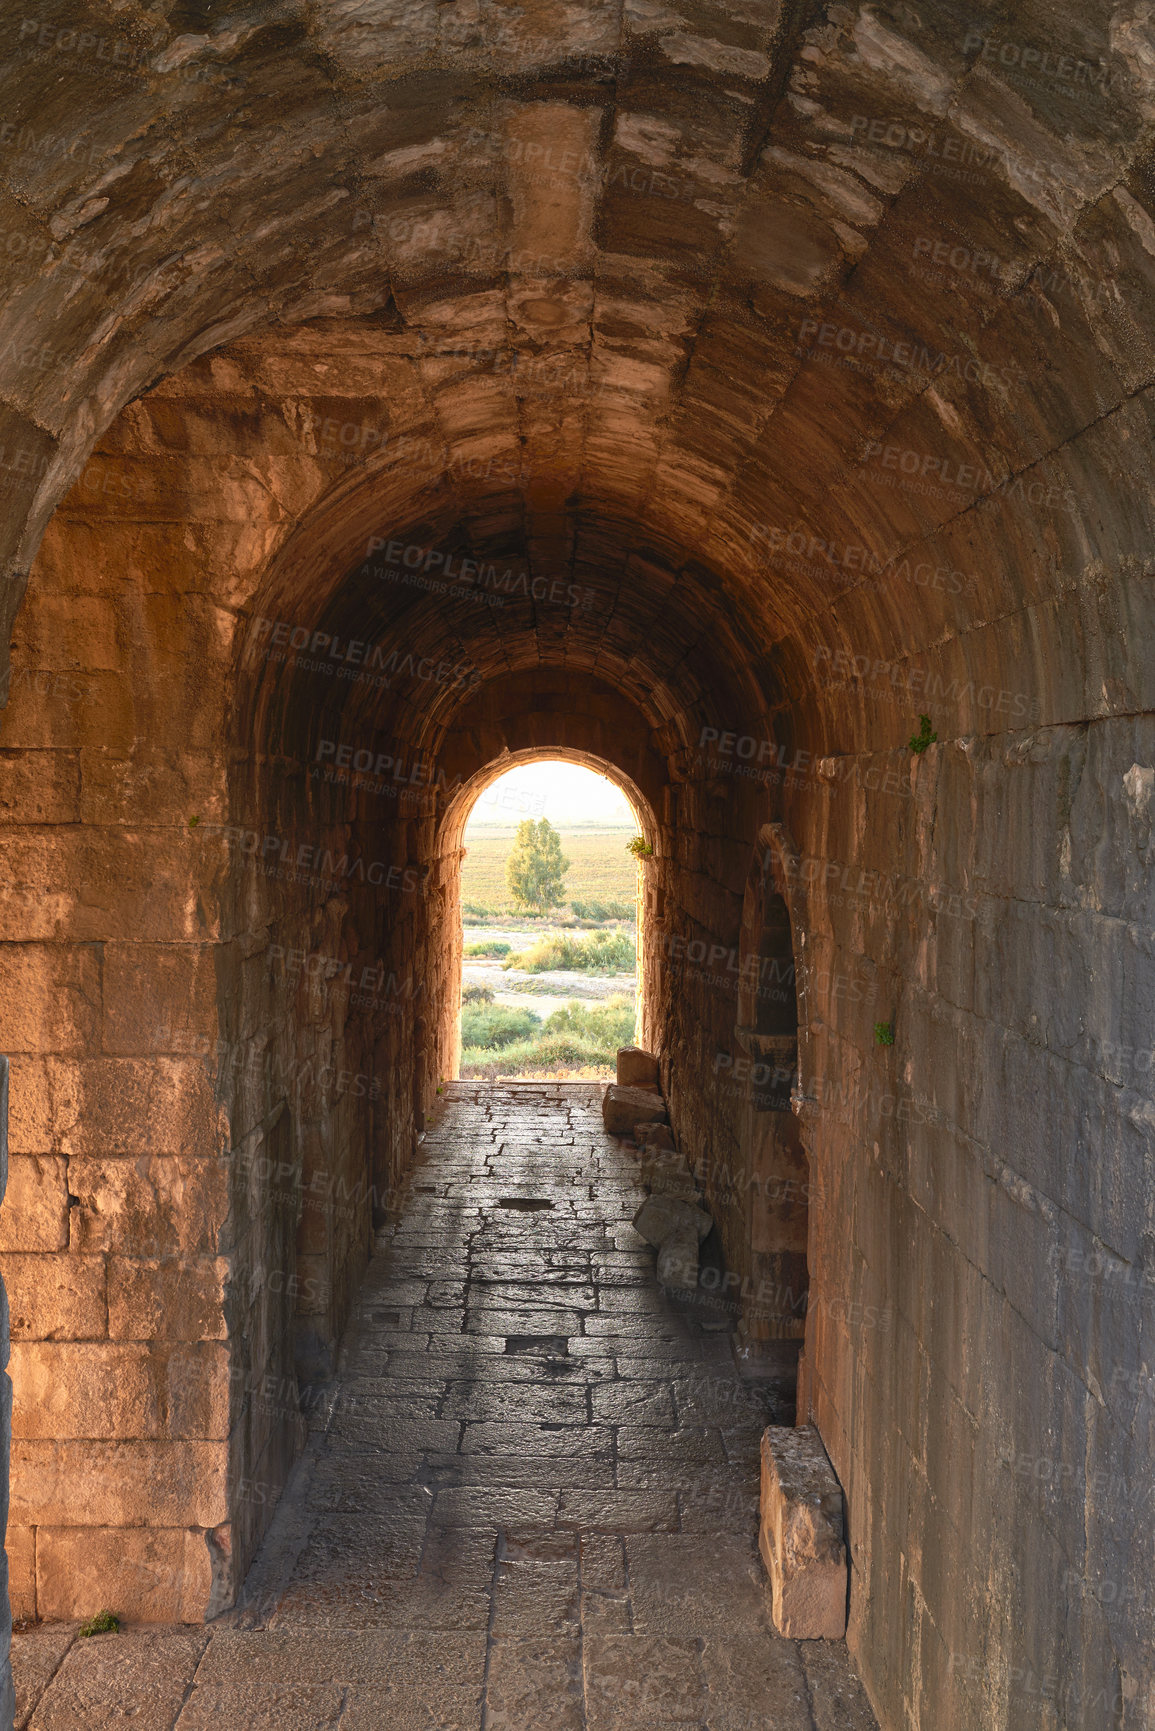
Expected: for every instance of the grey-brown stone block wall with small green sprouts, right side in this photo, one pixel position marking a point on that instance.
(979, 1327)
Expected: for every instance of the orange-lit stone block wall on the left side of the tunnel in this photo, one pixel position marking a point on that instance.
(212, 1064)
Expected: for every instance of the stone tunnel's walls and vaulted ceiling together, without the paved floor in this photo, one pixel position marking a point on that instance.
(752, 402)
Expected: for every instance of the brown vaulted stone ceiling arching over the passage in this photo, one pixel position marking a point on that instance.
(810, 312)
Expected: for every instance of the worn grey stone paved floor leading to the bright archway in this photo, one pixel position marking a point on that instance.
(529, 1500)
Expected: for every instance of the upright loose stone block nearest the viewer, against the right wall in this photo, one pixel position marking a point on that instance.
(801, 1536)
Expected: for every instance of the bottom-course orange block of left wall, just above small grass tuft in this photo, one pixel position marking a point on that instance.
(143, 1574)
